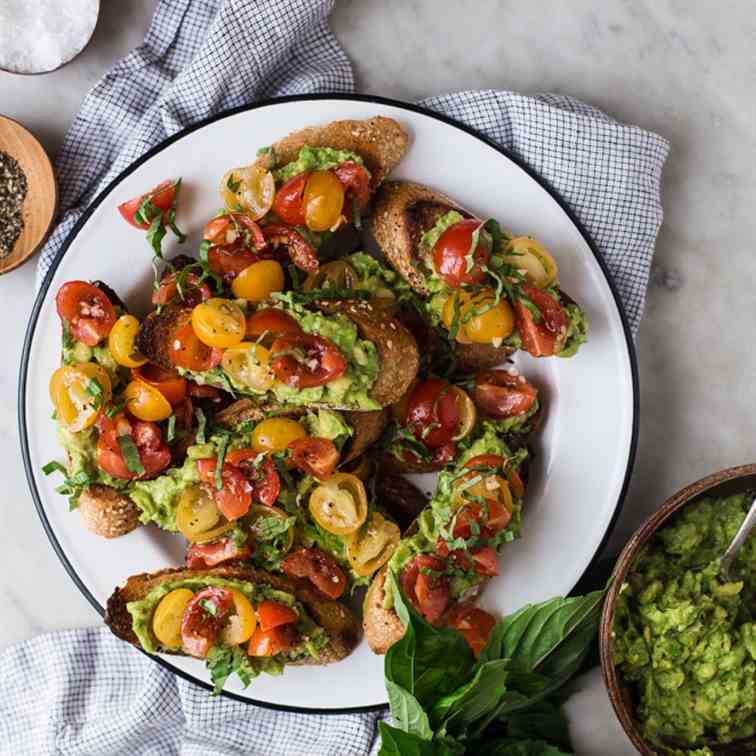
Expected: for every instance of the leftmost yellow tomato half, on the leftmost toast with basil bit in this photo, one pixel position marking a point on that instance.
(78, 393)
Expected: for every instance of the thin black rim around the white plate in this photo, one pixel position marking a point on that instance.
(201, 124)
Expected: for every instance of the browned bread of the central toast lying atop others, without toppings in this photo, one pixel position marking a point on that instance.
(398, 355)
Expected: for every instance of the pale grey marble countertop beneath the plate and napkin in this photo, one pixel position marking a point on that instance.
(688, 74)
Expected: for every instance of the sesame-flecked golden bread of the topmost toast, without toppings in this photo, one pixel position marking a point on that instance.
(381, 142)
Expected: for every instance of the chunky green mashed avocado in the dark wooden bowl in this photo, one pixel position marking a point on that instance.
(685, 638)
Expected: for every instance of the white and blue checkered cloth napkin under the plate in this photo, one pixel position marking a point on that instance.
(84, 692)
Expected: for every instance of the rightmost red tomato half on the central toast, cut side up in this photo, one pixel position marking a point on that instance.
(321, 361)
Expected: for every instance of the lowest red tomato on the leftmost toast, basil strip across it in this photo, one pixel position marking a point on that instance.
(154, 455)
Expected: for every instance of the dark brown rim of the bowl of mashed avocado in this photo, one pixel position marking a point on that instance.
(625, 560)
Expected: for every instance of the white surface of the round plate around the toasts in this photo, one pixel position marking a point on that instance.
(585, 448)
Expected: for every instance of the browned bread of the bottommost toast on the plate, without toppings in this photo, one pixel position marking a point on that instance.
(335, 619)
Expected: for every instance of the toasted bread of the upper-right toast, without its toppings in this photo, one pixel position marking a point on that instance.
(403, 212)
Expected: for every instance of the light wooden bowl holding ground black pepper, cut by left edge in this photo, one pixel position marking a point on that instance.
(42, 191)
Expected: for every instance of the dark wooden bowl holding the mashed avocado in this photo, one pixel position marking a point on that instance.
(725, 483)
